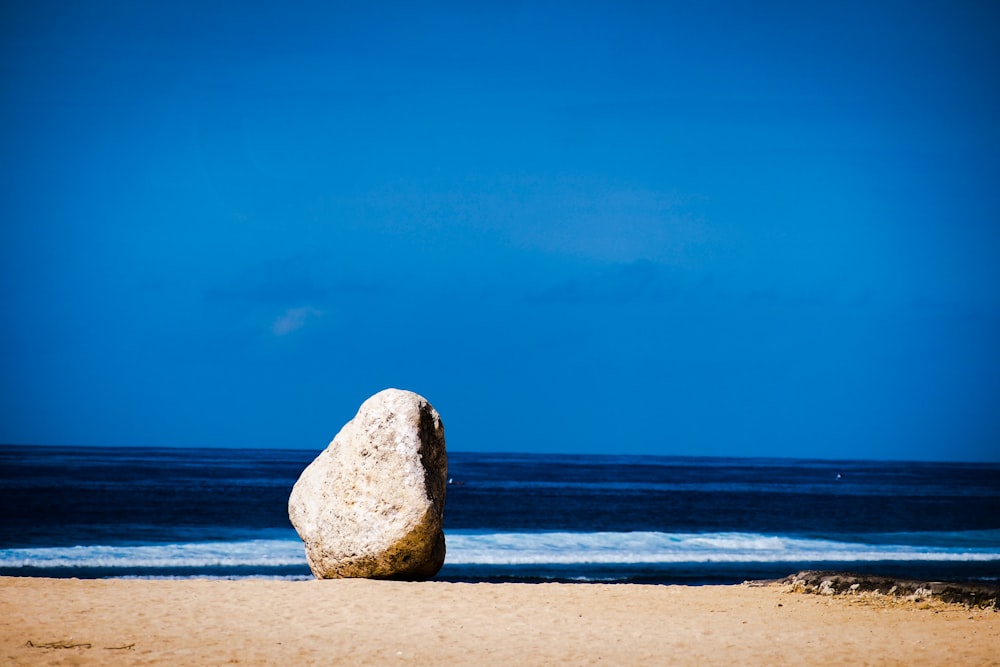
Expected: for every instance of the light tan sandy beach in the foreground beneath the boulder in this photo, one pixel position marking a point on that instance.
(357, 622)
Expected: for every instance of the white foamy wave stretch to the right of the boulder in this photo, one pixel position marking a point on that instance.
(651, 547)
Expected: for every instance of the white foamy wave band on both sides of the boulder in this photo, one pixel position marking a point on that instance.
(543, 548)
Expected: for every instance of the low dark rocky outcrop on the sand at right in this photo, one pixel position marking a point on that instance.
(979, 595)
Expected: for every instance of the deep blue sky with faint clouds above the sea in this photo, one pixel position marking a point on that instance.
(751, 229)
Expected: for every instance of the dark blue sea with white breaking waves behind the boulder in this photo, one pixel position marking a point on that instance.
(103, 512)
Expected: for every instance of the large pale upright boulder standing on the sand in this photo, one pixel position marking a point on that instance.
(372, 503)
